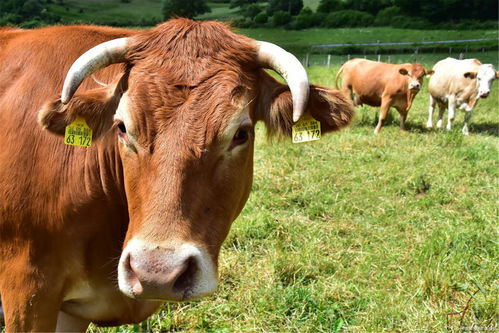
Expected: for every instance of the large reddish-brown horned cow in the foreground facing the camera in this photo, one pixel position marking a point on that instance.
(104, 234)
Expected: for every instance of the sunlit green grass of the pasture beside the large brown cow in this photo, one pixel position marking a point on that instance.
(359, 232)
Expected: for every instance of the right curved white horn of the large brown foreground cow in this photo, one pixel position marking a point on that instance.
(274, 57)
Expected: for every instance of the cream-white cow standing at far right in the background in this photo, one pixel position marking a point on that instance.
(458, 83)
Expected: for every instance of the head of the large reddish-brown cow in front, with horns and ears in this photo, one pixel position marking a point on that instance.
(183, 114)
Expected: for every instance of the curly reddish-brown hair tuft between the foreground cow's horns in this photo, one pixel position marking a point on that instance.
(190, 44)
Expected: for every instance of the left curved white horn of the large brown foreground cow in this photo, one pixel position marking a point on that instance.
(98, 57)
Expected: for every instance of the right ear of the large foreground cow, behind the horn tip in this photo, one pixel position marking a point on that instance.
(275, 107)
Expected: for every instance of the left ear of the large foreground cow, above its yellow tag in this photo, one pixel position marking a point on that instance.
(96, 106)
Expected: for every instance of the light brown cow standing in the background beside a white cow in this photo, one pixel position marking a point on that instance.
(381, 84)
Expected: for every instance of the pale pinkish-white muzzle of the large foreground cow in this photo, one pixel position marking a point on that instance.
(173, 272)
